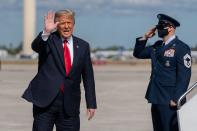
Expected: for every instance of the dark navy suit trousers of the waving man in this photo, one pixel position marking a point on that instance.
(45, 118)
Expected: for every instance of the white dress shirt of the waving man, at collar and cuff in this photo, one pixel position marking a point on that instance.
(45, 37)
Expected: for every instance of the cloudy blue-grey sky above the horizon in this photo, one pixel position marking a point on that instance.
(104, 22)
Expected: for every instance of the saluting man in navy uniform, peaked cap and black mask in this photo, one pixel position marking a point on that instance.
(171, 71)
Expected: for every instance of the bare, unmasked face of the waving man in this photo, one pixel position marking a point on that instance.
(65, 26)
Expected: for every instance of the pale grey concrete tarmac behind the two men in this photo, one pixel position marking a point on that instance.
(120, 91)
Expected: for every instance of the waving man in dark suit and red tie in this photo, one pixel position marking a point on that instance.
(63, 61)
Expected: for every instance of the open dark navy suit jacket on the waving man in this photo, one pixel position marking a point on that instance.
(51, 74)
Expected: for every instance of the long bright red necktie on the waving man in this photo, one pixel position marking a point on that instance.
(67, 58)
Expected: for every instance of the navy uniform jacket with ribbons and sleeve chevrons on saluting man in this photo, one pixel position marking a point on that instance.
(171, 69)
